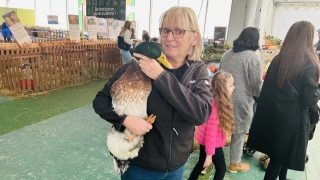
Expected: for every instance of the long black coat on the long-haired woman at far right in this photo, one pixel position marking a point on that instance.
(281, 124)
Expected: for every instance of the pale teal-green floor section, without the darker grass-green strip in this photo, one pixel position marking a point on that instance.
(73, 146)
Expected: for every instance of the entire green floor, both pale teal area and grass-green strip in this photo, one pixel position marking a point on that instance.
(58, 136)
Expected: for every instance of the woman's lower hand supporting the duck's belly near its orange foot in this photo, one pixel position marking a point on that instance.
(136, 125)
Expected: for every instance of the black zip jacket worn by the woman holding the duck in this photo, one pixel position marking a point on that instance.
(179, 106)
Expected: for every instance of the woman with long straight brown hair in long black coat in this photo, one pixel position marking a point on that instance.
(280, 127)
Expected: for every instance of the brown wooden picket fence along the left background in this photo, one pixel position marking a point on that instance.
(52, 65)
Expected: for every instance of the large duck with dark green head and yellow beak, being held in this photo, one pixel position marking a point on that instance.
(129, 97)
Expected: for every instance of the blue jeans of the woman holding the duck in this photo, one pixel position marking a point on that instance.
(137, 173)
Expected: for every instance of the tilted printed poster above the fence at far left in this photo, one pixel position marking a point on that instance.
(19, 32)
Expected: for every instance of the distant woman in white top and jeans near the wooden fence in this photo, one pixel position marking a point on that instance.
(126, 33)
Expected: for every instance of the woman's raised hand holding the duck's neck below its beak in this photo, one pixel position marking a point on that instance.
(149, 66)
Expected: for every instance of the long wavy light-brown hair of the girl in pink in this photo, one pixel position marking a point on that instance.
(223, 101)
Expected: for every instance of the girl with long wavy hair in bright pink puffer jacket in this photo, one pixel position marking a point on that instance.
(212, 134)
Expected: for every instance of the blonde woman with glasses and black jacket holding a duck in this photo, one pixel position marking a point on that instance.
(180, 98)
